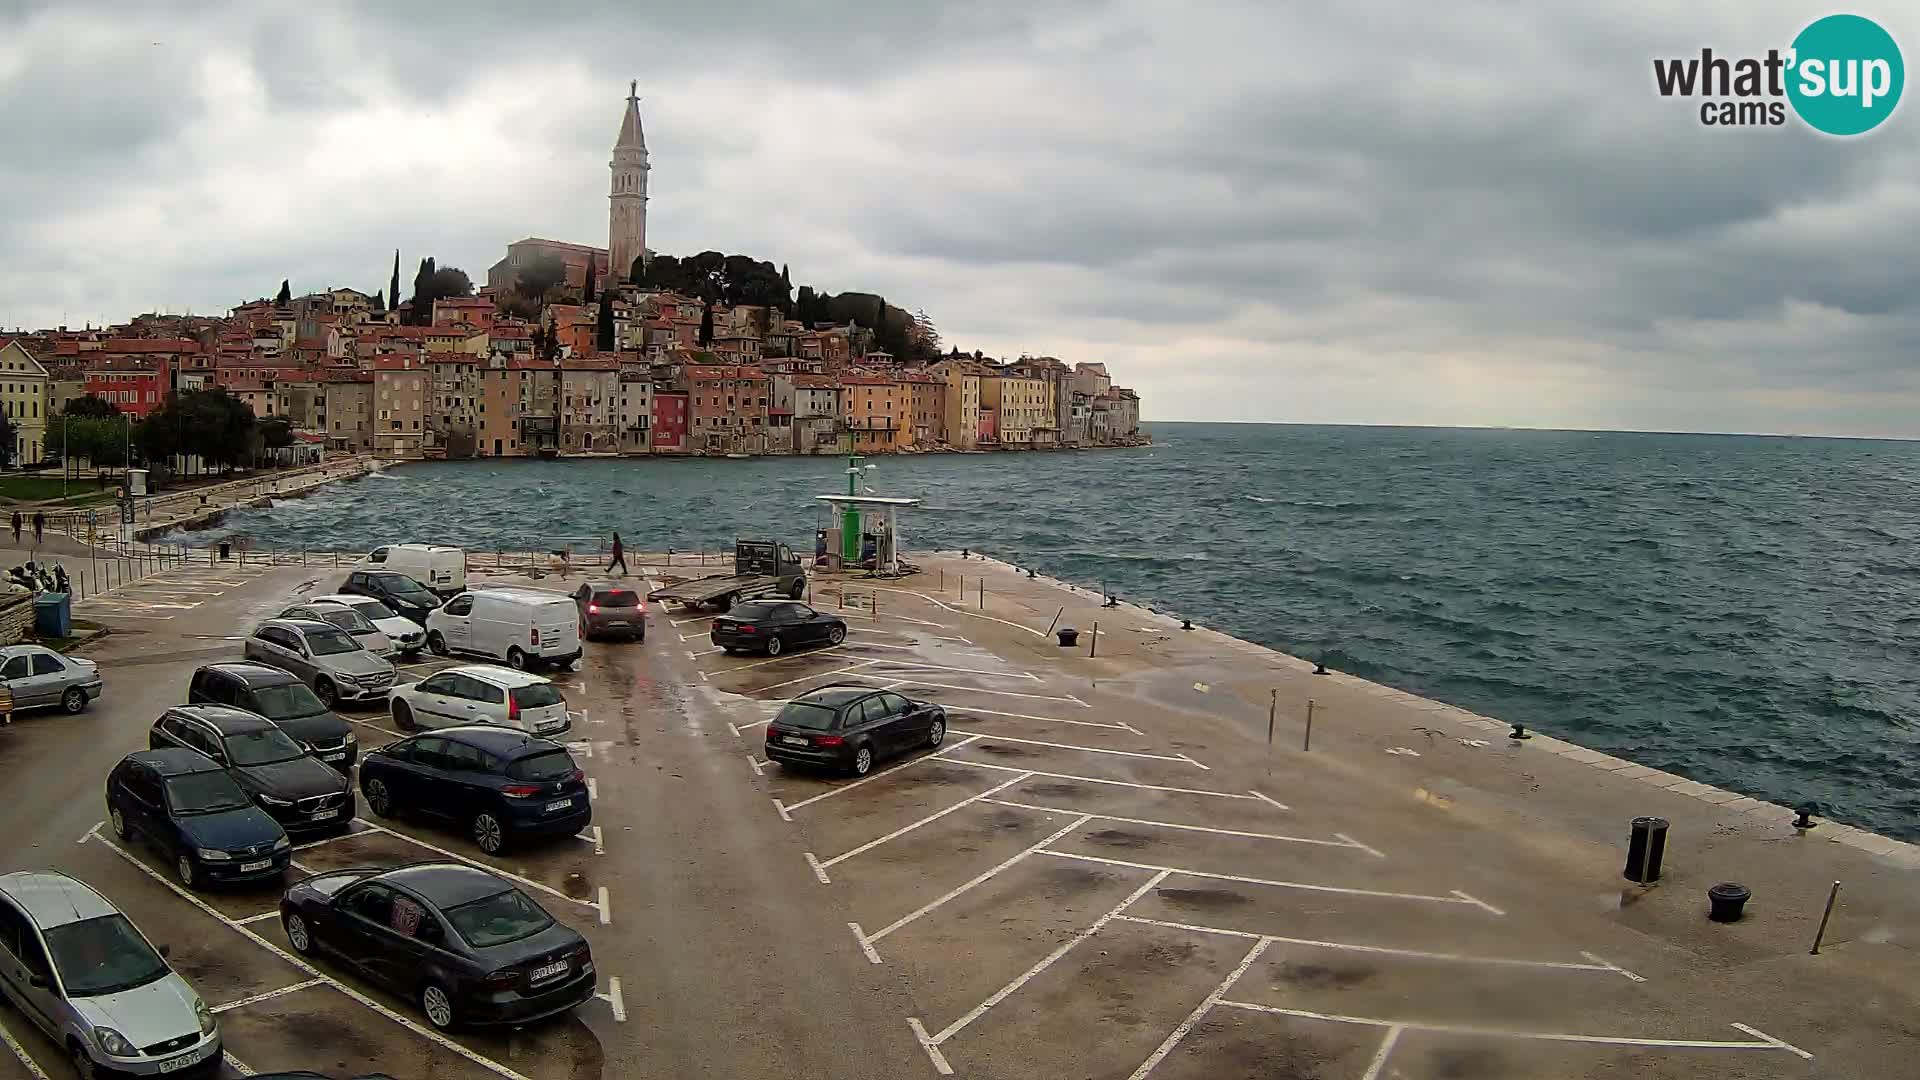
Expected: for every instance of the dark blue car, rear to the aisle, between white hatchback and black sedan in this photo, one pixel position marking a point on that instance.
(496, 783)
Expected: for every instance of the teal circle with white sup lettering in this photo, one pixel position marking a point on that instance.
(1848, 76)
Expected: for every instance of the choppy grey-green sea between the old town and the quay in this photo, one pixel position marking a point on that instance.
(1739, 610)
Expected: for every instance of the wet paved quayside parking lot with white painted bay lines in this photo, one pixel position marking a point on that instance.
(1103, 870)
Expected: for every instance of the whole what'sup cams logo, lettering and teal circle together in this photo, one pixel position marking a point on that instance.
(1842, 76)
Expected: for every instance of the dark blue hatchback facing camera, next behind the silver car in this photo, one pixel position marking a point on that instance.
(195, 814)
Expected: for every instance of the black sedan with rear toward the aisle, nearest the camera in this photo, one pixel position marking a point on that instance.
(462, 943)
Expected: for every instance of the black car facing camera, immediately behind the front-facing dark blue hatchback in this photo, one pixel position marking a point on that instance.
(291, 785)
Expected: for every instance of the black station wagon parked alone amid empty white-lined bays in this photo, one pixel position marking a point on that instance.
(852, 727)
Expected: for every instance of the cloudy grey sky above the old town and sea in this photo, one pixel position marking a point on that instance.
(1362, 212)
